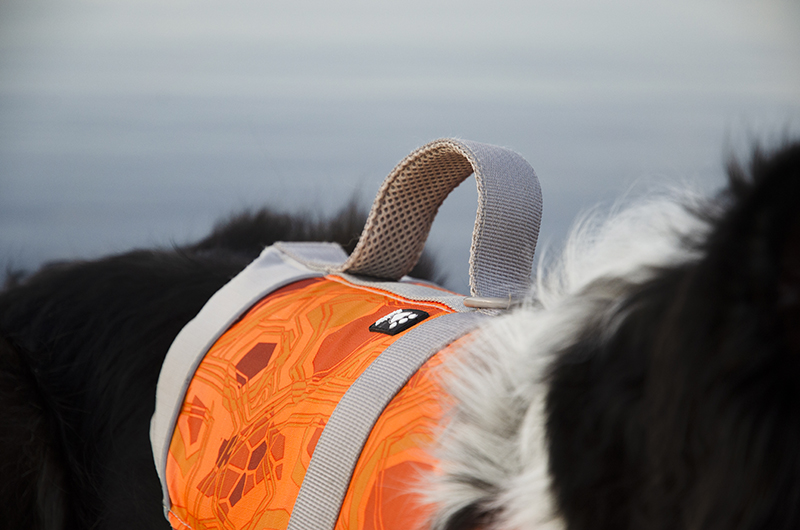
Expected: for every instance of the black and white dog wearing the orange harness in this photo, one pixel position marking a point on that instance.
(651, 381)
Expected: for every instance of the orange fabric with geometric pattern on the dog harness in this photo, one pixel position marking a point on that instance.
(259, 400)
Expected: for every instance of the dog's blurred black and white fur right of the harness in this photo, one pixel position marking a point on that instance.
(654, 380)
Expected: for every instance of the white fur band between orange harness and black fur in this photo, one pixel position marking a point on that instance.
(495, 434)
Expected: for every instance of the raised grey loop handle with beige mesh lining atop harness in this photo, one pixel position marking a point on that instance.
(506, 225)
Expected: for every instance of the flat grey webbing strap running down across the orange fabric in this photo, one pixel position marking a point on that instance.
(339, 447)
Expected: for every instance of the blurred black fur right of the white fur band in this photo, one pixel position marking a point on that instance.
(688, 415)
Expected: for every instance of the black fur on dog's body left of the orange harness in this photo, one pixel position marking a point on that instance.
(83, 345)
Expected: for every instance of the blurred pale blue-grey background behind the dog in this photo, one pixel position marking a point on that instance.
(130, 123)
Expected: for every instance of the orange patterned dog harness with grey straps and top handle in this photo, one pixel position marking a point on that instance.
(306, 392)
